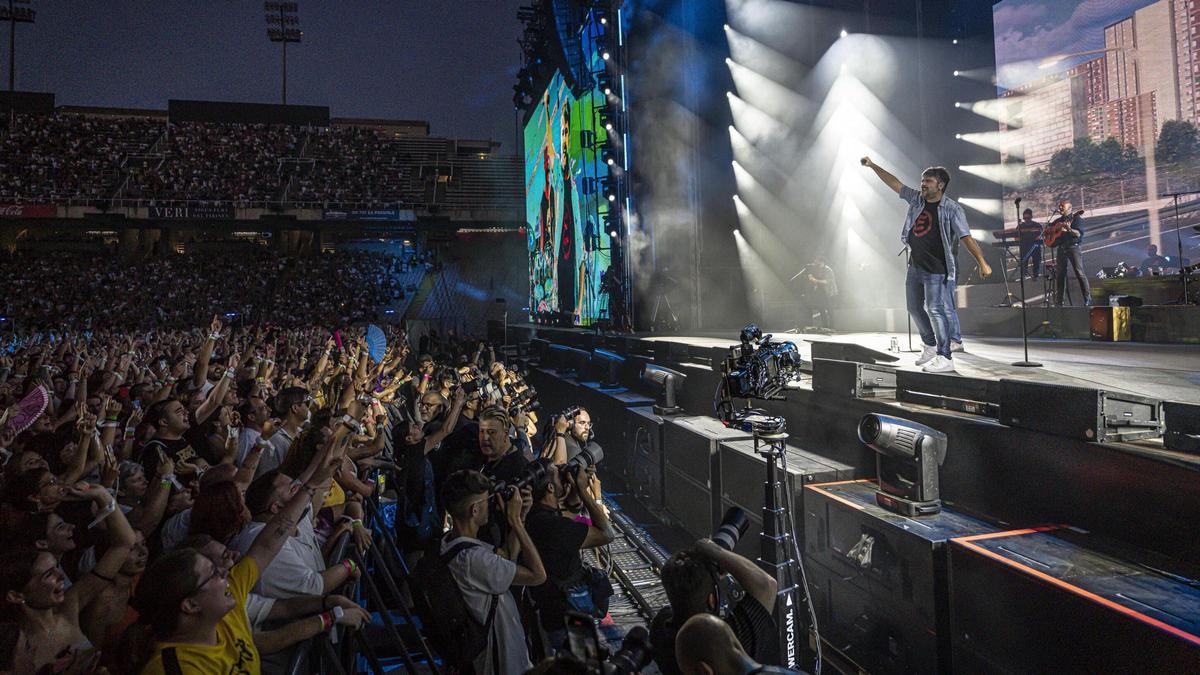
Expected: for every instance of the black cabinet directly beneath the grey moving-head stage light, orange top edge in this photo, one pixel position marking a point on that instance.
(890, 595)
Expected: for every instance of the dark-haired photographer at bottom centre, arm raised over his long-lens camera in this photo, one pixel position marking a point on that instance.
(691, 581)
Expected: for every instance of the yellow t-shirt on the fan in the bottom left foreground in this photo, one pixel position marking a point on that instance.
(235, 653)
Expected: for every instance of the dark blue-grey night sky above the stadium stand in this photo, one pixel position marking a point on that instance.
(447, 62)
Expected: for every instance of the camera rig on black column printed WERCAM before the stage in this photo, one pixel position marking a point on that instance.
(760, 369)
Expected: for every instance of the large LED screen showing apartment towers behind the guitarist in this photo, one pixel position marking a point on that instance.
(1099, 104)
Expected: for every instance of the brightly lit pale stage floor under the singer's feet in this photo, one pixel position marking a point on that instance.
(1162, 372)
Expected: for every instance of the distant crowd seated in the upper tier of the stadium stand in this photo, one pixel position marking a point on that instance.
(149, 160)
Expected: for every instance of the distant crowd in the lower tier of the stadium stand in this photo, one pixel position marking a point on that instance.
(89, 292)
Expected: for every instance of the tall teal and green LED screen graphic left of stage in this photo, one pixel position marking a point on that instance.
(566, 207)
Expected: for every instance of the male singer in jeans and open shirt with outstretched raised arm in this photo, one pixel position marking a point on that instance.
(933, 229)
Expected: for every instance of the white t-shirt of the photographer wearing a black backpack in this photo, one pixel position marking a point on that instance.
(481, 575)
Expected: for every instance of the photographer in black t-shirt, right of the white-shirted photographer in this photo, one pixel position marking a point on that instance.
(559, 537)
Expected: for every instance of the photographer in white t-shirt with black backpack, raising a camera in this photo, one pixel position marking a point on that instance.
(484, 577)
